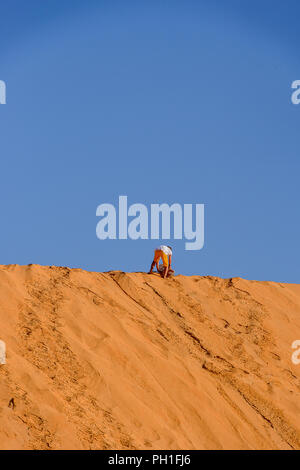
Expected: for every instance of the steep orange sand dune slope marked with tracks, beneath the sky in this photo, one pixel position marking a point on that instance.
(124, 361)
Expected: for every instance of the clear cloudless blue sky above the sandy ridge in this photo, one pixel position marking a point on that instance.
(163, 101)
